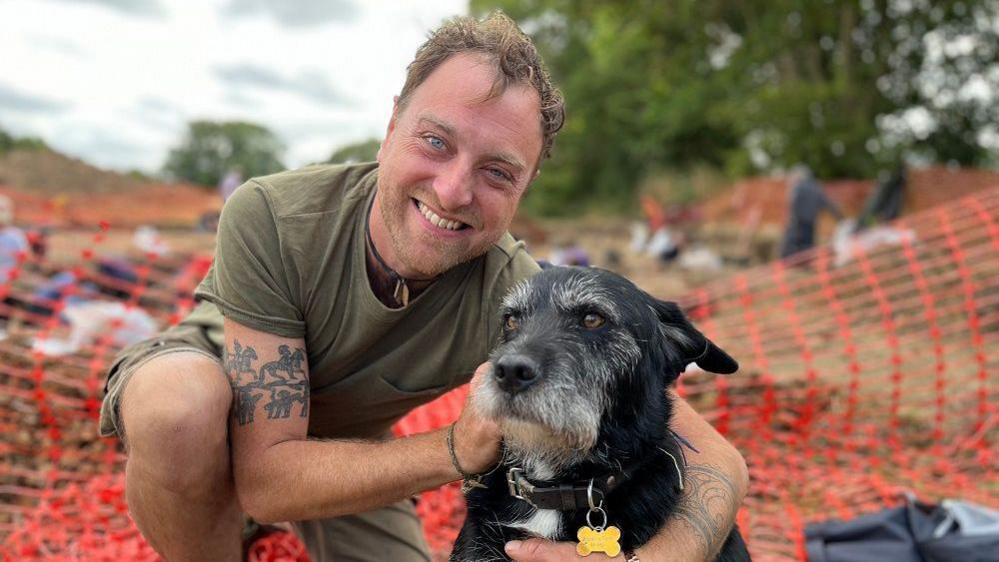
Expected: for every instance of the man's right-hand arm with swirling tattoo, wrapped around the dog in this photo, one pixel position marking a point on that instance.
(716, 483)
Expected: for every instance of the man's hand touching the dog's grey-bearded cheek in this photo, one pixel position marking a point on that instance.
(476, 438)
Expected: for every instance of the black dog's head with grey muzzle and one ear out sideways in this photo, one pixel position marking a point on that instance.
(585, 354)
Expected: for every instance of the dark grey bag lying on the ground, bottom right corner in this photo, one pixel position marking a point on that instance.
(954, 531)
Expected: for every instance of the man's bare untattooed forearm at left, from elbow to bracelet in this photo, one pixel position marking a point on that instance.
(296, 480)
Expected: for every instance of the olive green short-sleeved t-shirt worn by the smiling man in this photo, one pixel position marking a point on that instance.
(290, 261)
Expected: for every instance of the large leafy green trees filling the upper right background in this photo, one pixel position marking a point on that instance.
(755, 85)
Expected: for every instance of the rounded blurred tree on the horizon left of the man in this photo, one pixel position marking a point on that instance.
(210, 149)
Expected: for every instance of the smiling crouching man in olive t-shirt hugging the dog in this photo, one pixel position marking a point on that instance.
(340, 298)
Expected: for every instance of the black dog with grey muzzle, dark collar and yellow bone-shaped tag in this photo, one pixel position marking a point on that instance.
(578, 387)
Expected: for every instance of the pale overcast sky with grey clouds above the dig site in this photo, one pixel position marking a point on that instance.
(116, 81)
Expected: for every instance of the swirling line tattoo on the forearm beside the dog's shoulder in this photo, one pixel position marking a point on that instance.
(707, 506)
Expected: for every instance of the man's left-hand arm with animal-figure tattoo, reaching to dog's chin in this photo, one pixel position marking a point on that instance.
(280, 475)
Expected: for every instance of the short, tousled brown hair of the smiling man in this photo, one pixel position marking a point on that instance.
(497, 37)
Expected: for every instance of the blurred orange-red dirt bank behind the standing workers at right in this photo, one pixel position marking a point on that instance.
(926, 188)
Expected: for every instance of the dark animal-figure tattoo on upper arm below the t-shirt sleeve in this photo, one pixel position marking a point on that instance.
(282, 381)
